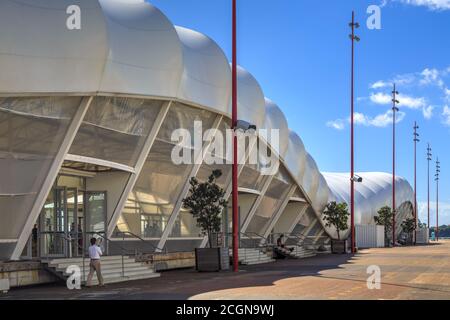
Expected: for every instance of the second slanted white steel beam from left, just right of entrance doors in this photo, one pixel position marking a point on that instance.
(148, 144)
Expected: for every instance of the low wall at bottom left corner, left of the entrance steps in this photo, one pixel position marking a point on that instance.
(25, 273)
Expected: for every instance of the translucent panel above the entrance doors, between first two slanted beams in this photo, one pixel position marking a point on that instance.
(115, 129)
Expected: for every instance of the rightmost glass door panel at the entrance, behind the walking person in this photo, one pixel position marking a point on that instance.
(95, 218)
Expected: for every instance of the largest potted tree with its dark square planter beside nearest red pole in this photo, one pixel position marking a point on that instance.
(206, 202)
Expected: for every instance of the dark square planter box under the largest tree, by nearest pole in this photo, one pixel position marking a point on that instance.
(212, 259)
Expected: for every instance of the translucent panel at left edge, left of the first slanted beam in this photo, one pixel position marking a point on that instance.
(31, 132)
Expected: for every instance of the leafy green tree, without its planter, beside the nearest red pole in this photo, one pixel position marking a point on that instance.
(206, 202)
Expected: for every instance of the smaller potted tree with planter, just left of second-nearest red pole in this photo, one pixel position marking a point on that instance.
(336, 215)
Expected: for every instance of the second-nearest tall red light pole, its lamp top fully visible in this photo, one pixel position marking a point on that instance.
(353, 38)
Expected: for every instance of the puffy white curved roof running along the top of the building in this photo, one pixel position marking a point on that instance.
(132, 48)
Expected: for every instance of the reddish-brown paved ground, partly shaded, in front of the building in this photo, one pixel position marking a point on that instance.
(421, 272)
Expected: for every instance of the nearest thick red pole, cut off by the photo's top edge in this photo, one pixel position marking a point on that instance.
(234, 119)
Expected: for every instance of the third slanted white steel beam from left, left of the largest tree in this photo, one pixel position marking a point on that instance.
(196, 167)
